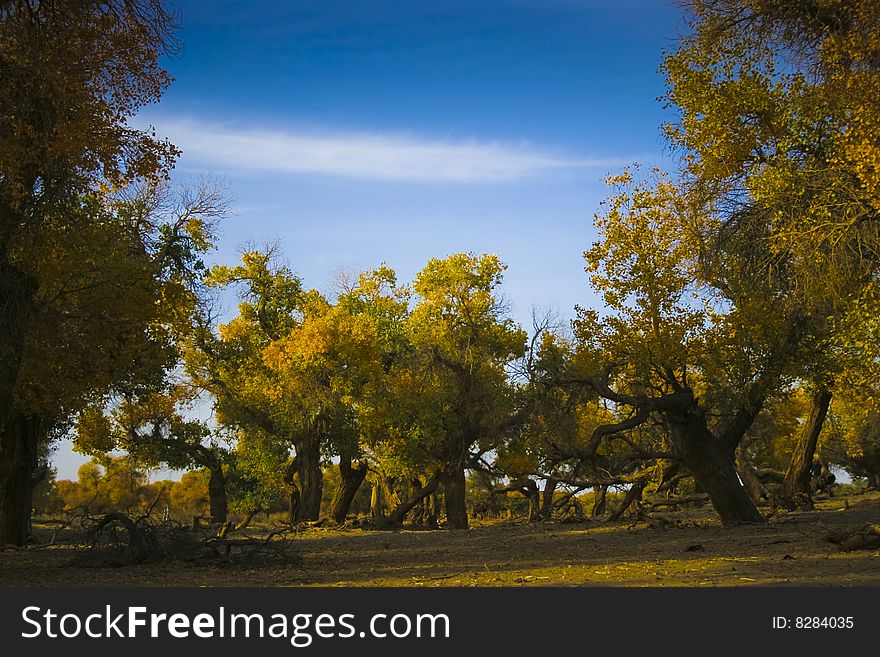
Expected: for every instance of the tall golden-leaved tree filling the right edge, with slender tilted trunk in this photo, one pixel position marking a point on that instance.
(778, 115)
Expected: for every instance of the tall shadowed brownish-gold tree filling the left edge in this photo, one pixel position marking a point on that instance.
(77, 271)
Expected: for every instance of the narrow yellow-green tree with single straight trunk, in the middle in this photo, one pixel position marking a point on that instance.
(460, 400)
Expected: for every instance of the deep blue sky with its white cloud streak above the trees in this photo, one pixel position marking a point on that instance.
(361, 132)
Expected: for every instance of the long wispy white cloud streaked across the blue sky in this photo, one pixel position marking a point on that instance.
(363, 155)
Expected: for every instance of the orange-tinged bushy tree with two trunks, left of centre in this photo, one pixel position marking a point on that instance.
(305, 373)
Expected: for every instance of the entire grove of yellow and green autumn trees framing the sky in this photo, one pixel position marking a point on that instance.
(735, 354)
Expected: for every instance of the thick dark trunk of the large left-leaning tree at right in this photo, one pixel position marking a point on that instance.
(712, 465)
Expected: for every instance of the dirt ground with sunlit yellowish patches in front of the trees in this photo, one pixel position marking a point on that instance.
(672, 549)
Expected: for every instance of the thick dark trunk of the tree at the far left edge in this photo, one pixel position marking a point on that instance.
(19, 439)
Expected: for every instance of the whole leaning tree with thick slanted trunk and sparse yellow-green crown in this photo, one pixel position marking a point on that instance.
(694, 349)
